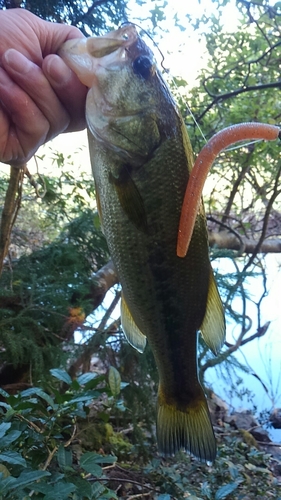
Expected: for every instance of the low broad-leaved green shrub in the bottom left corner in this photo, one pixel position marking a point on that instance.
(37, 433)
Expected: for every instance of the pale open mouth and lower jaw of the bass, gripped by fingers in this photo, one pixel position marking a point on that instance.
(85, 55)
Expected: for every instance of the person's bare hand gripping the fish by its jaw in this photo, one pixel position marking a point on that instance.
(40, 97)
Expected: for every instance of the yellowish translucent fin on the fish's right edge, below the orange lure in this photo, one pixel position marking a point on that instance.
(213, 326)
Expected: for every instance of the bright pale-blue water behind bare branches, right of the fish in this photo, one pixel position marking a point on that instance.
(262, 356)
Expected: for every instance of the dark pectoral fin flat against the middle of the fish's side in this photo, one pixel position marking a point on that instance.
(130, 198)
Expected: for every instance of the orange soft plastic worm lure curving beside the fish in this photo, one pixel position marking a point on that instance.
(219, 142)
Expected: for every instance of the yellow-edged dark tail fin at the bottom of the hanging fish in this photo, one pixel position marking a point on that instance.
(189, 429)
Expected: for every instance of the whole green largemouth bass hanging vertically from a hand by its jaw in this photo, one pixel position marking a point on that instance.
(142, 159)
